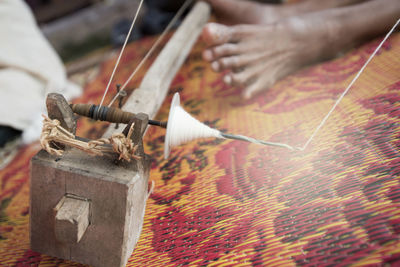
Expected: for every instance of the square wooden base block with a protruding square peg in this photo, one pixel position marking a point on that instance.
(87, 209)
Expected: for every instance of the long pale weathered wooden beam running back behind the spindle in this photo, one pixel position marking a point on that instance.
(155, 84)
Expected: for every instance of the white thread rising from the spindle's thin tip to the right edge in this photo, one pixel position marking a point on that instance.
(347, 89)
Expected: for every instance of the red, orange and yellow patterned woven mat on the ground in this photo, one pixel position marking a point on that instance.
(229, 203)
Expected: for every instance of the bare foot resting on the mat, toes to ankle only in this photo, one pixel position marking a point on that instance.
(259, 55)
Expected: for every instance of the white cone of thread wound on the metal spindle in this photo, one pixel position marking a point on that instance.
(182, 127)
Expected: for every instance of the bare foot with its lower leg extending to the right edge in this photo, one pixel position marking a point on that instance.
(256, 56)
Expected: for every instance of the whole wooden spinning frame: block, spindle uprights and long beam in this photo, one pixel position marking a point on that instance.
(91, 209)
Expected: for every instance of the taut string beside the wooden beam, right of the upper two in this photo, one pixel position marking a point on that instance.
(151, 50)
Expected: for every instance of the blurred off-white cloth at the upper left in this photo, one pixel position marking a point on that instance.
(29, 69)
